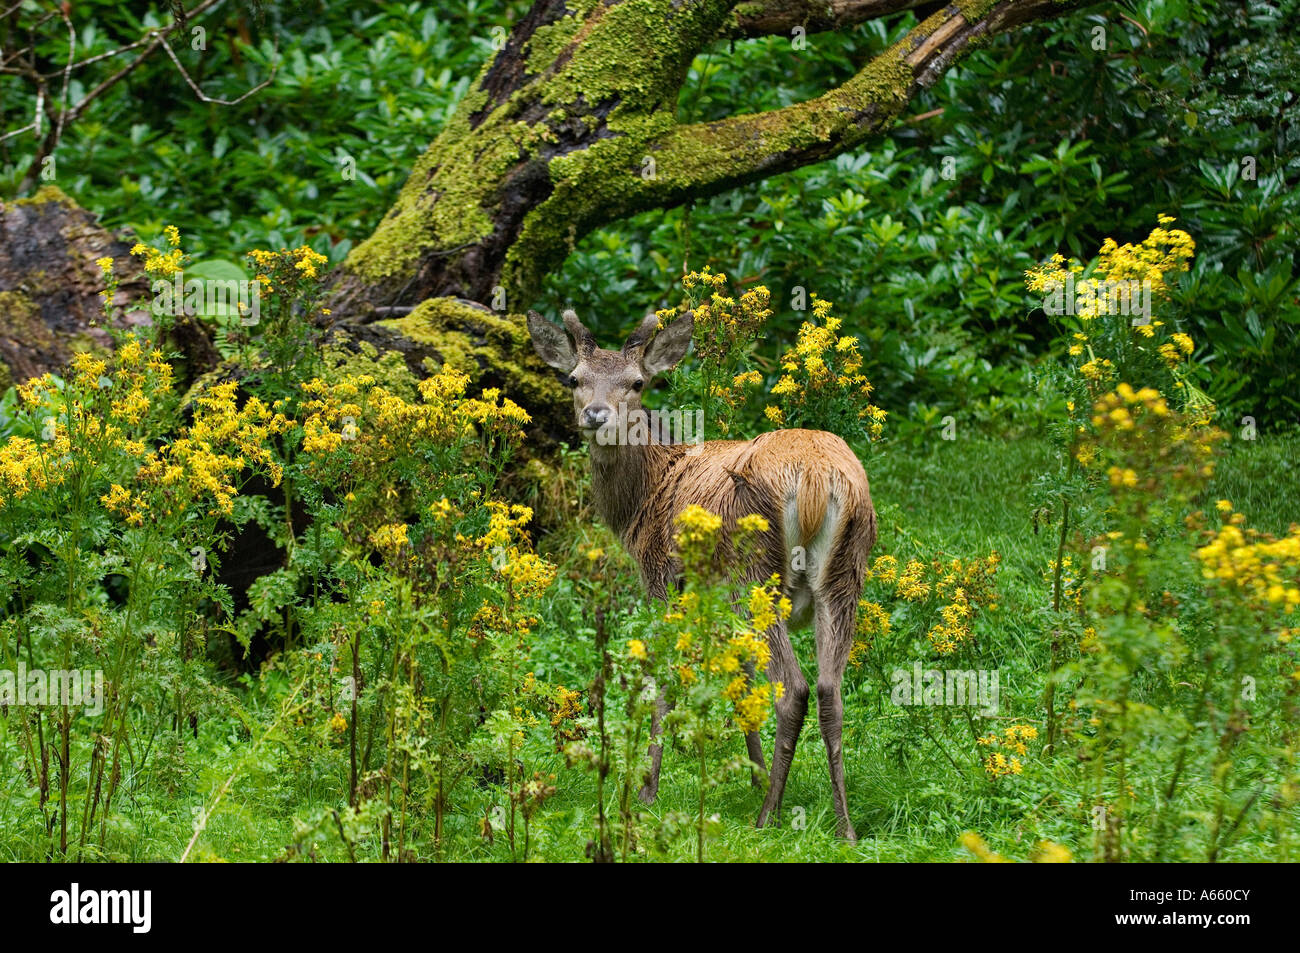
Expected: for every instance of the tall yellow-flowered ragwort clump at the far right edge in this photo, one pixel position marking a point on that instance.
(1171, 636)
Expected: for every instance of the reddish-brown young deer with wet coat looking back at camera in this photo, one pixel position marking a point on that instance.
(808, 484)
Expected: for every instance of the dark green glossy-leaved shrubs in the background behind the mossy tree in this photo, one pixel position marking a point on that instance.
(1038, 144)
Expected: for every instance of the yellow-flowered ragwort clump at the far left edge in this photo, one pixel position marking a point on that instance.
(110, 530)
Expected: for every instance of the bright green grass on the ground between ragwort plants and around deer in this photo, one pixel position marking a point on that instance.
(912, 796)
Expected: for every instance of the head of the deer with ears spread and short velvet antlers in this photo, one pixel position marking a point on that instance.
(606, 382)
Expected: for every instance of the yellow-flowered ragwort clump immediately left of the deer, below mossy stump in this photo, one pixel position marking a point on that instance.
(448, 581)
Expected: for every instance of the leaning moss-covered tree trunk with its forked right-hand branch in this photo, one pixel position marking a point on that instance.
(574, 127)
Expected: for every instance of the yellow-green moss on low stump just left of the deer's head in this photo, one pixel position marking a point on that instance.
(482, 344)
